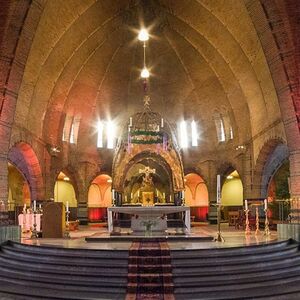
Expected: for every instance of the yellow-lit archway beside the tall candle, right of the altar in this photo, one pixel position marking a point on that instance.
(231, 194)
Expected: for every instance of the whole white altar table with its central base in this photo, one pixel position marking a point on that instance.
(154, 214)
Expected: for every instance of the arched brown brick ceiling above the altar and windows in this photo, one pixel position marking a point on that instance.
(204, 55)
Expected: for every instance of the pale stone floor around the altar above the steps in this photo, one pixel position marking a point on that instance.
(232, 236)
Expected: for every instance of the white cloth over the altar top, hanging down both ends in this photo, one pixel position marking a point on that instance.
(150, 212)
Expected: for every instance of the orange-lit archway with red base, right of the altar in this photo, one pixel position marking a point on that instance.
(196, 196)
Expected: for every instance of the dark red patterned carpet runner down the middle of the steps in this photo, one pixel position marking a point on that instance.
(150, 271)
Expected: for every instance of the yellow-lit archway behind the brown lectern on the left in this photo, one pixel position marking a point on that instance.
(64, 192)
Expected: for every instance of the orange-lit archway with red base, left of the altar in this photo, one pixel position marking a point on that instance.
(99, 198)
